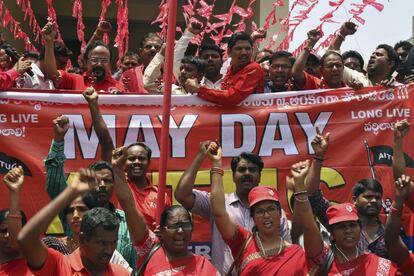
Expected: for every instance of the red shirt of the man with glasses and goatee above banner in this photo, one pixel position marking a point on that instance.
(71, 81)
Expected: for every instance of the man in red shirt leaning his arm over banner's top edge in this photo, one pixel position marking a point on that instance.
(243, 78)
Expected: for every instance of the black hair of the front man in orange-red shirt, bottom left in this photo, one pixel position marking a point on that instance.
(98, 217)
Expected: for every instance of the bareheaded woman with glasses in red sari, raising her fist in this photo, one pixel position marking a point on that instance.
(171, 257)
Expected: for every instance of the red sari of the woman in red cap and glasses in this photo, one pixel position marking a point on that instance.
(291, 261)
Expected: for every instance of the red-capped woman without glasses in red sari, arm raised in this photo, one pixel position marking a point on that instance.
(345, 231)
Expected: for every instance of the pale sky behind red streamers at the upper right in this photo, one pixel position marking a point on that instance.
(393, 24)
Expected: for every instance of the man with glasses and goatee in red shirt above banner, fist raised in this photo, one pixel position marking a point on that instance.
(97, 58)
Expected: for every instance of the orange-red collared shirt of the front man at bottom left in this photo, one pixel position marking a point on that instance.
(59, 264)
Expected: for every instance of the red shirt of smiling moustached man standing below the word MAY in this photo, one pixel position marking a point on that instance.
(146, 202)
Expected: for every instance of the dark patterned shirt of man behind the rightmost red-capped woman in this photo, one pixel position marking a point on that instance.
(377, 244)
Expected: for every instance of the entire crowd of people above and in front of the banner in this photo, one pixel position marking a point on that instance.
(108, 210)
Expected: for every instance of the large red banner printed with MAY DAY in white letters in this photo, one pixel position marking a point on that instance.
(279, 127)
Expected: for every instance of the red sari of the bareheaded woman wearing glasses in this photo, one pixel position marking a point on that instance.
(160, 265)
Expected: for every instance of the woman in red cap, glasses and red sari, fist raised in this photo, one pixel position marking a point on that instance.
(265, 252)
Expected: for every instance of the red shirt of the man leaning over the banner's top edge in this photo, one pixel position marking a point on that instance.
(236, 86)
